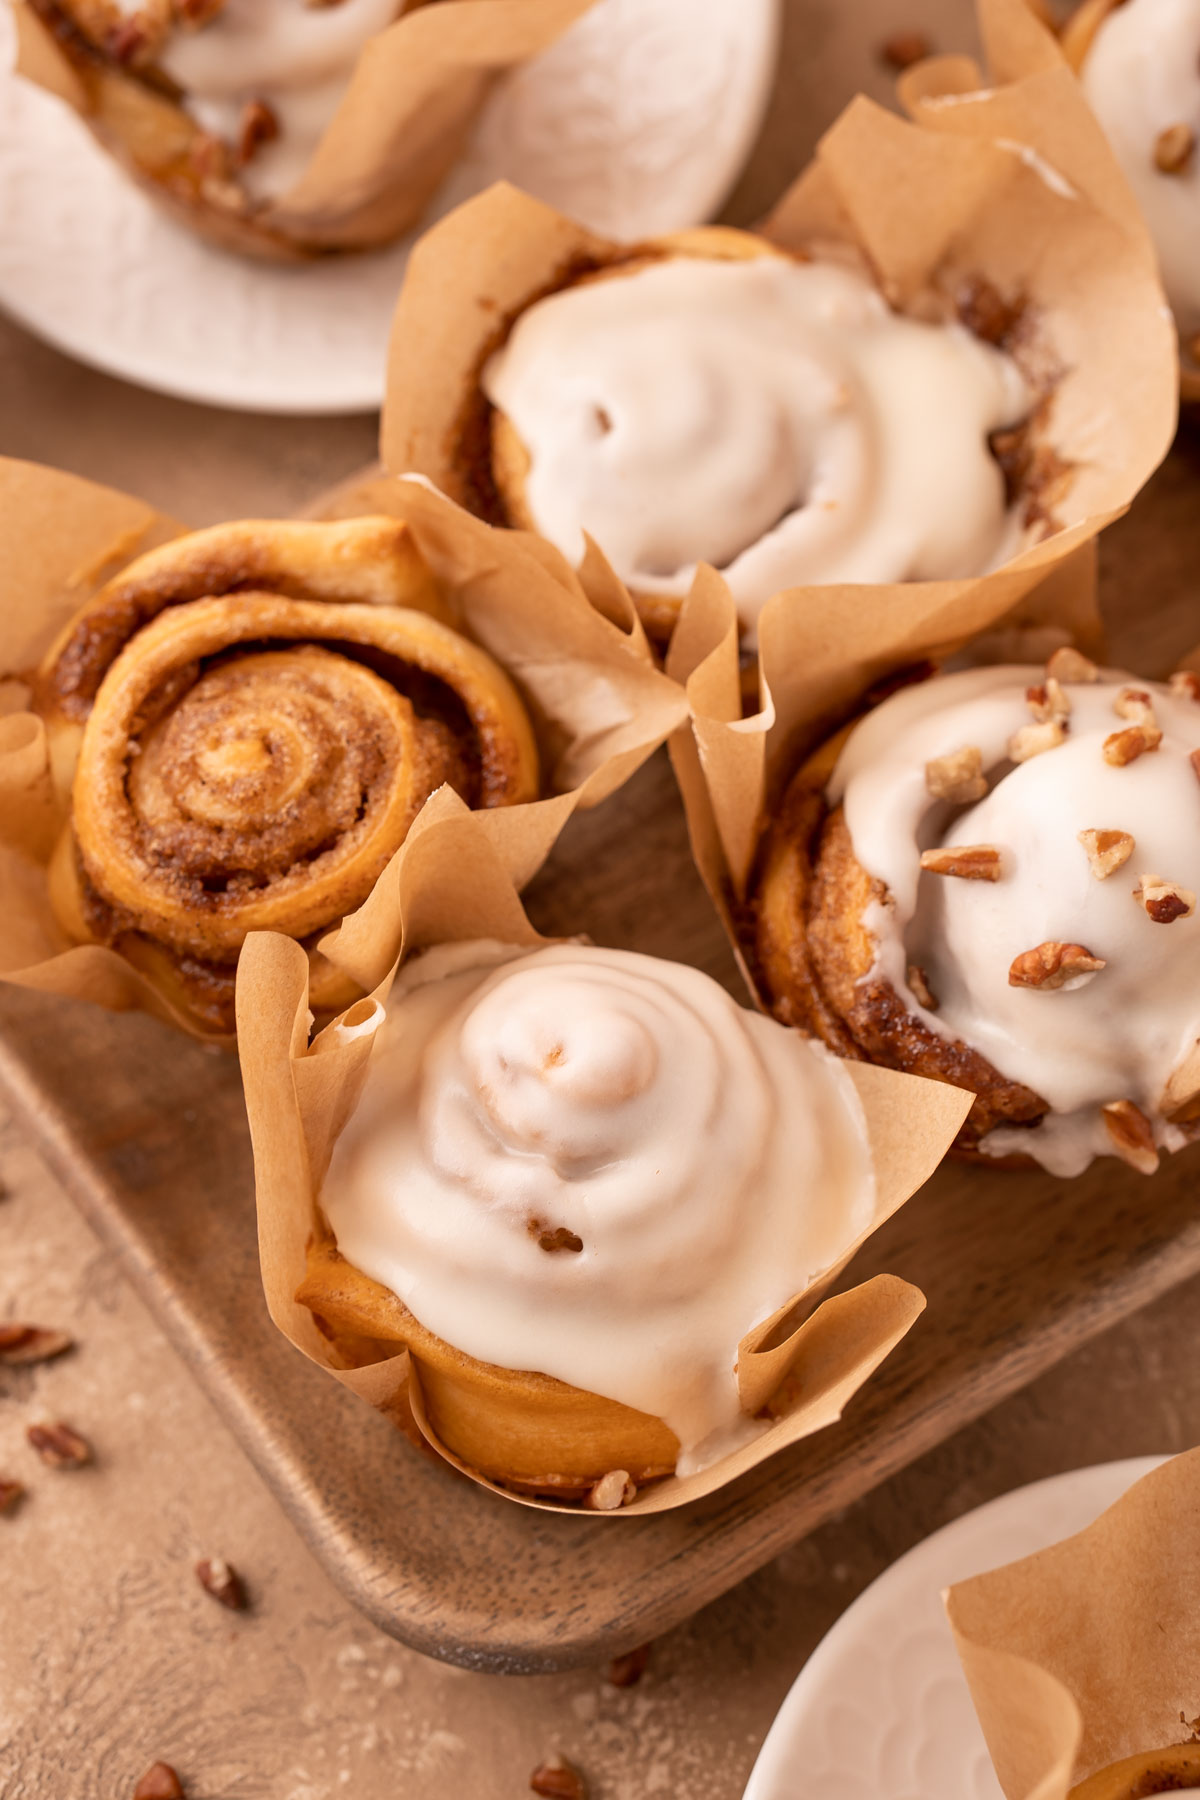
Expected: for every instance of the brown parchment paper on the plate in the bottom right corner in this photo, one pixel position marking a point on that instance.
(1089, 1653)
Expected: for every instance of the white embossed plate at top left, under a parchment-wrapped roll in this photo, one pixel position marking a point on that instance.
(636, 121)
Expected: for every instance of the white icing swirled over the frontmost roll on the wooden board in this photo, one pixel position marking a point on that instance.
(703, 1164)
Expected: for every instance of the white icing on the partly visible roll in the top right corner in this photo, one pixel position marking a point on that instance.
(1142, 78)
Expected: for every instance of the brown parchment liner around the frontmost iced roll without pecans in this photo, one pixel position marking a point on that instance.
(300, 1099)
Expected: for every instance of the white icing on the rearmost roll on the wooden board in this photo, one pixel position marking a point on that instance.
(767, 417)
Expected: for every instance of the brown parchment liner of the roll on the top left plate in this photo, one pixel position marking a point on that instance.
(399, 130)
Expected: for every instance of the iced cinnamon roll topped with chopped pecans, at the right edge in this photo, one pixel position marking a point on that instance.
(994, 881)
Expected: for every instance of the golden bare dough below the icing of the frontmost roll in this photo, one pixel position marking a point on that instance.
(523, 1430)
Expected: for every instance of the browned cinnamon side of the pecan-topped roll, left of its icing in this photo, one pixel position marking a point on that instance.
(812, 955)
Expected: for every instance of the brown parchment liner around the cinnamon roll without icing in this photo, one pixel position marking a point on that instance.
(596, 701)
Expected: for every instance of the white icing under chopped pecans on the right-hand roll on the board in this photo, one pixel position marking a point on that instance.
(1109, 1036)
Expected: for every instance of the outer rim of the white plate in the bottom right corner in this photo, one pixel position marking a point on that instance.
(1093, 1489)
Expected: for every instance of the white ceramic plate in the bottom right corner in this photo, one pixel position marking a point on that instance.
(882, 1711)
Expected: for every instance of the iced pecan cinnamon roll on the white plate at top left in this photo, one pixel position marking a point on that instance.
(220, 105)
